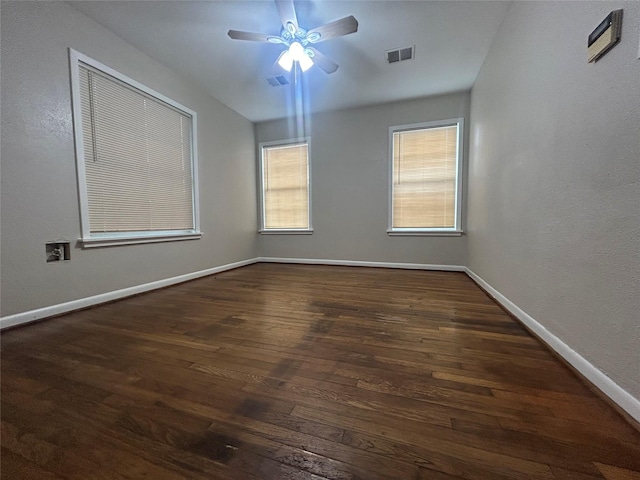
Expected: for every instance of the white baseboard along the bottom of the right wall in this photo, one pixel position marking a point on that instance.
(615, 392)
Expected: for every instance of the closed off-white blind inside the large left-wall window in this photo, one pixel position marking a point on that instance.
(137, 157)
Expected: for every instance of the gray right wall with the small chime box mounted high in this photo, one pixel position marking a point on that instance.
(554, 200)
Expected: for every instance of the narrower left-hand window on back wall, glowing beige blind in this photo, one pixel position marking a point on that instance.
(285, 185)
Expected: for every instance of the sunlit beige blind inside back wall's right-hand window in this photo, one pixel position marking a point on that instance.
(424, 178)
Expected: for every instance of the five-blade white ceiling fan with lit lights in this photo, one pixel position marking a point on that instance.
(299, 42)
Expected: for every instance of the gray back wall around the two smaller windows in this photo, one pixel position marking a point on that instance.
(350, 173)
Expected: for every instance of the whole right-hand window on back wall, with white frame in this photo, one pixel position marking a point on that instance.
(425, 178)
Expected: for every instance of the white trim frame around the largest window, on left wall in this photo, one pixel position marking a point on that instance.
(88, 239)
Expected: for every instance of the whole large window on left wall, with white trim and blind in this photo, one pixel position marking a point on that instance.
(136, 161)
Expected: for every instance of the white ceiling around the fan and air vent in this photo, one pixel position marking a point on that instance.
(451, 40)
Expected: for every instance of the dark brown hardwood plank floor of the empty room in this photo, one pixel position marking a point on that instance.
(302, 372)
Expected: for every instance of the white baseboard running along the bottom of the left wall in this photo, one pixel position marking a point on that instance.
(40, 313)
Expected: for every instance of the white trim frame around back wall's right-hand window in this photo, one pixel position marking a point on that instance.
(440, 232)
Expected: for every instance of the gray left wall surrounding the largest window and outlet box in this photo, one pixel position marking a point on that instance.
(39, 189)
